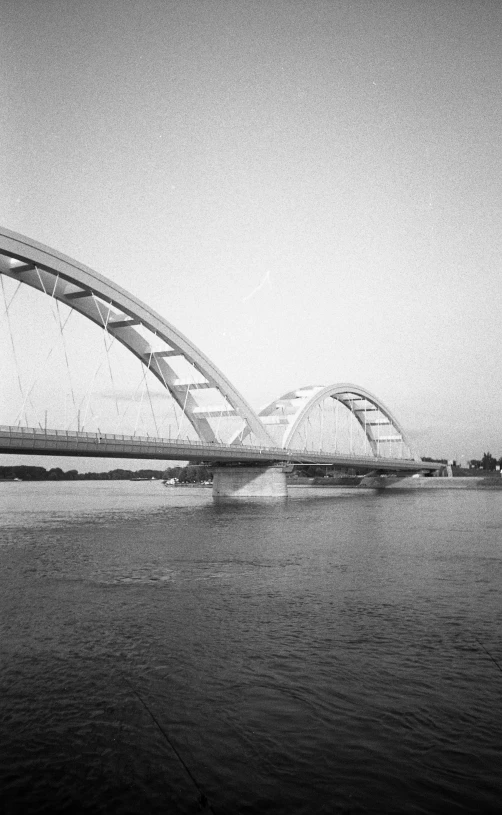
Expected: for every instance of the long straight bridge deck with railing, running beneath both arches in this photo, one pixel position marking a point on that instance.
(35, 441)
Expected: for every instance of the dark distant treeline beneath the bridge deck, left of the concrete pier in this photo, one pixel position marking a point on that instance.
(192, 473)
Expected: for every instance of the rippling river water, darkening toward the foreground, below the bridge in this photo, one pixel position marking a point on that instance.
(332, 654)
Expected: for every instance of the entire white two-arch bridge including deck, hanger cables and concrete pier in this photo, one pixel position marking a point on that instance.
(204, 417)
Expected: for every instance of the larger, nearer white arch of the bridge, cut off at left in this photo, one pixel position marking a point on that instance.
(117, 312)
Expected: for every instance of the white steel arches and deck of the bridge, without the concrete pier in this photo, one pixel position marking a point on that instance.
(205, 397)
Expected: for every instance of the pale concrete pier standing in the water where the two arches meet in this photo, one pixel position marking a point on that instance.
(236, 483)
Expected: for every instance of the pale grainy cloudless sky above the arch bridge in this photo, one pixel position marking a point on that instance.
(310, 191)
